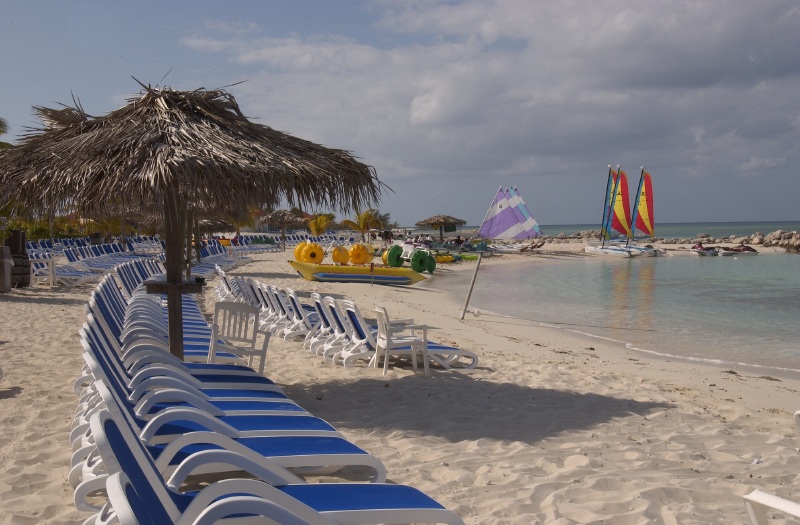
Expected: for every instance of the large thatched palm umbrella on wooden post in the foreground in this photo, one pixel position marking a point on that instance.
(179, 152)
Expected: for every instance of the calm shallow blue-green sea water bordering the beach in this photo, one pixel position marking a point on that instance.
(731, 311)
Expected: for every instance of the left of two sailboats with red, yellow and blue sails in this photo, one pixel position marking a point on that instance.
(616, 216)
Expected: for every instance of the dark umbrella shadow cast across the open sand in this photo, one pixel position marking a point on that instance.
(458, 407)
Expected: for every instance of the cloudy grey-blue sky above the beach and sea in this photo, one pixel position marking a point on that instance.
(450, 100)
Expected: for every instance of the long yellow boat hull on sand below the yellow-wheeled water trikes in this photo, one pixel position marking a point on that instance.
(356, 274)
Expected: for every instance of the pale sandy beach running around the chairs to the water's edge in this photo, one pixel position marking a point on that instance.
(550, 428)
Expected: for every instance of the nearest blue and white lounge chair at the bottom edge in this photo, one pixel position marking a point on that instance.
(142, 495)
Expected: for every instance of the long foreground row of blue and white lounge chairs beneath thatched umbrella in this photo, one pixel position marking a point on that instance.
(149, 428)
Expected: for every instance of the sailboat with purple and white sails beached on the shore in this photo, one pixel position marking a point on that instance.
(509, 219)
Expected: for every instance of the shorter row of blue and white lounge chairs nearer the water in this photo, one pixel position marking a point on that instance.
(338, 332)
